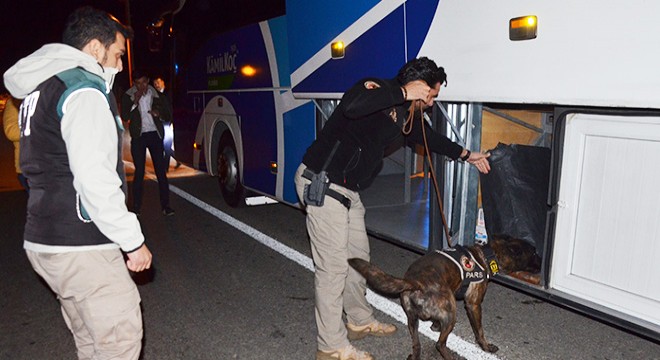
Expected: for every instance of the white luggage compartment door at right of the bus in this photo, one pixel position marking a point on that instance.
(607, 235)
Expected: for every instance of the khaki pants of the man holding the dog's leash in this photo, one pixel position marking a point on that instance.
(337, 234)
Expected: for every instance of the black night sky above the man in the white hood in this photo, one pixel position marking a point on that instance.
(29, 24)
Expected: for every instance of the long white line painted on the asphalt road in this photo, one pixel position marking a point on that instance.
(455, 343)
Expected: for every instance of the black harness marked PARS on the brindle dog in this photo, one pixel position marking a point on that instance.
(470, 269)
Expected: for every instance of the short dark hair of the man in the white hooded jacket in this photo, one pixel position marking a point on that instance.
(87, 23)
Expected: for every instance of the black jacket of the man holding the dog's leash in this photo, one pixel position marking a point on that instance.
(366, 123)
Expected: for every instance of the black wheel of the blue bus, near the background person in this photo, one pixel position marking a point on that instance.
(228, 176)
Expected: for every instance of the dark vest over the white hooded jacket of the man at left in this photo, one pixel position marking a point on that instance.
(55, 213)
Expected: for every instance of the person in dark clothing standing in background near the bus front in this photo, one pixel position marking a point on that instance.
(146, 109)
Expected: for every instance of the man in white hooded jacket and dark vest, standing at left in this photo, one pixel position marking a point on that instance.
(77, 220)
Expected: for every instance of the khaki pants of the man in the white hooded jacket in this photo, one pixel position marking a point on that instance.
(99, 300)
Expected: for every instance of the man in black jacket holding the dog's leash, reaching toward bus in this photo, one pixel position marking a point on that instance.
(348, 155)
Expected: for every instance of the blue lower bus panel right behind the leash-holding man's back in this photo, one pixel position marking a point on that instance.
(299, 132)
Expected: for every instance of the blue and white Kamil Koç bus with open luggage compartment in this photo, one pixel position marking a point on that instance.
(577, 80)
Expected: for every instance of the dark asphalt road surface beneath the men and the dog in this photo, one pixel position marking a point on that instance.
(235, 284)
